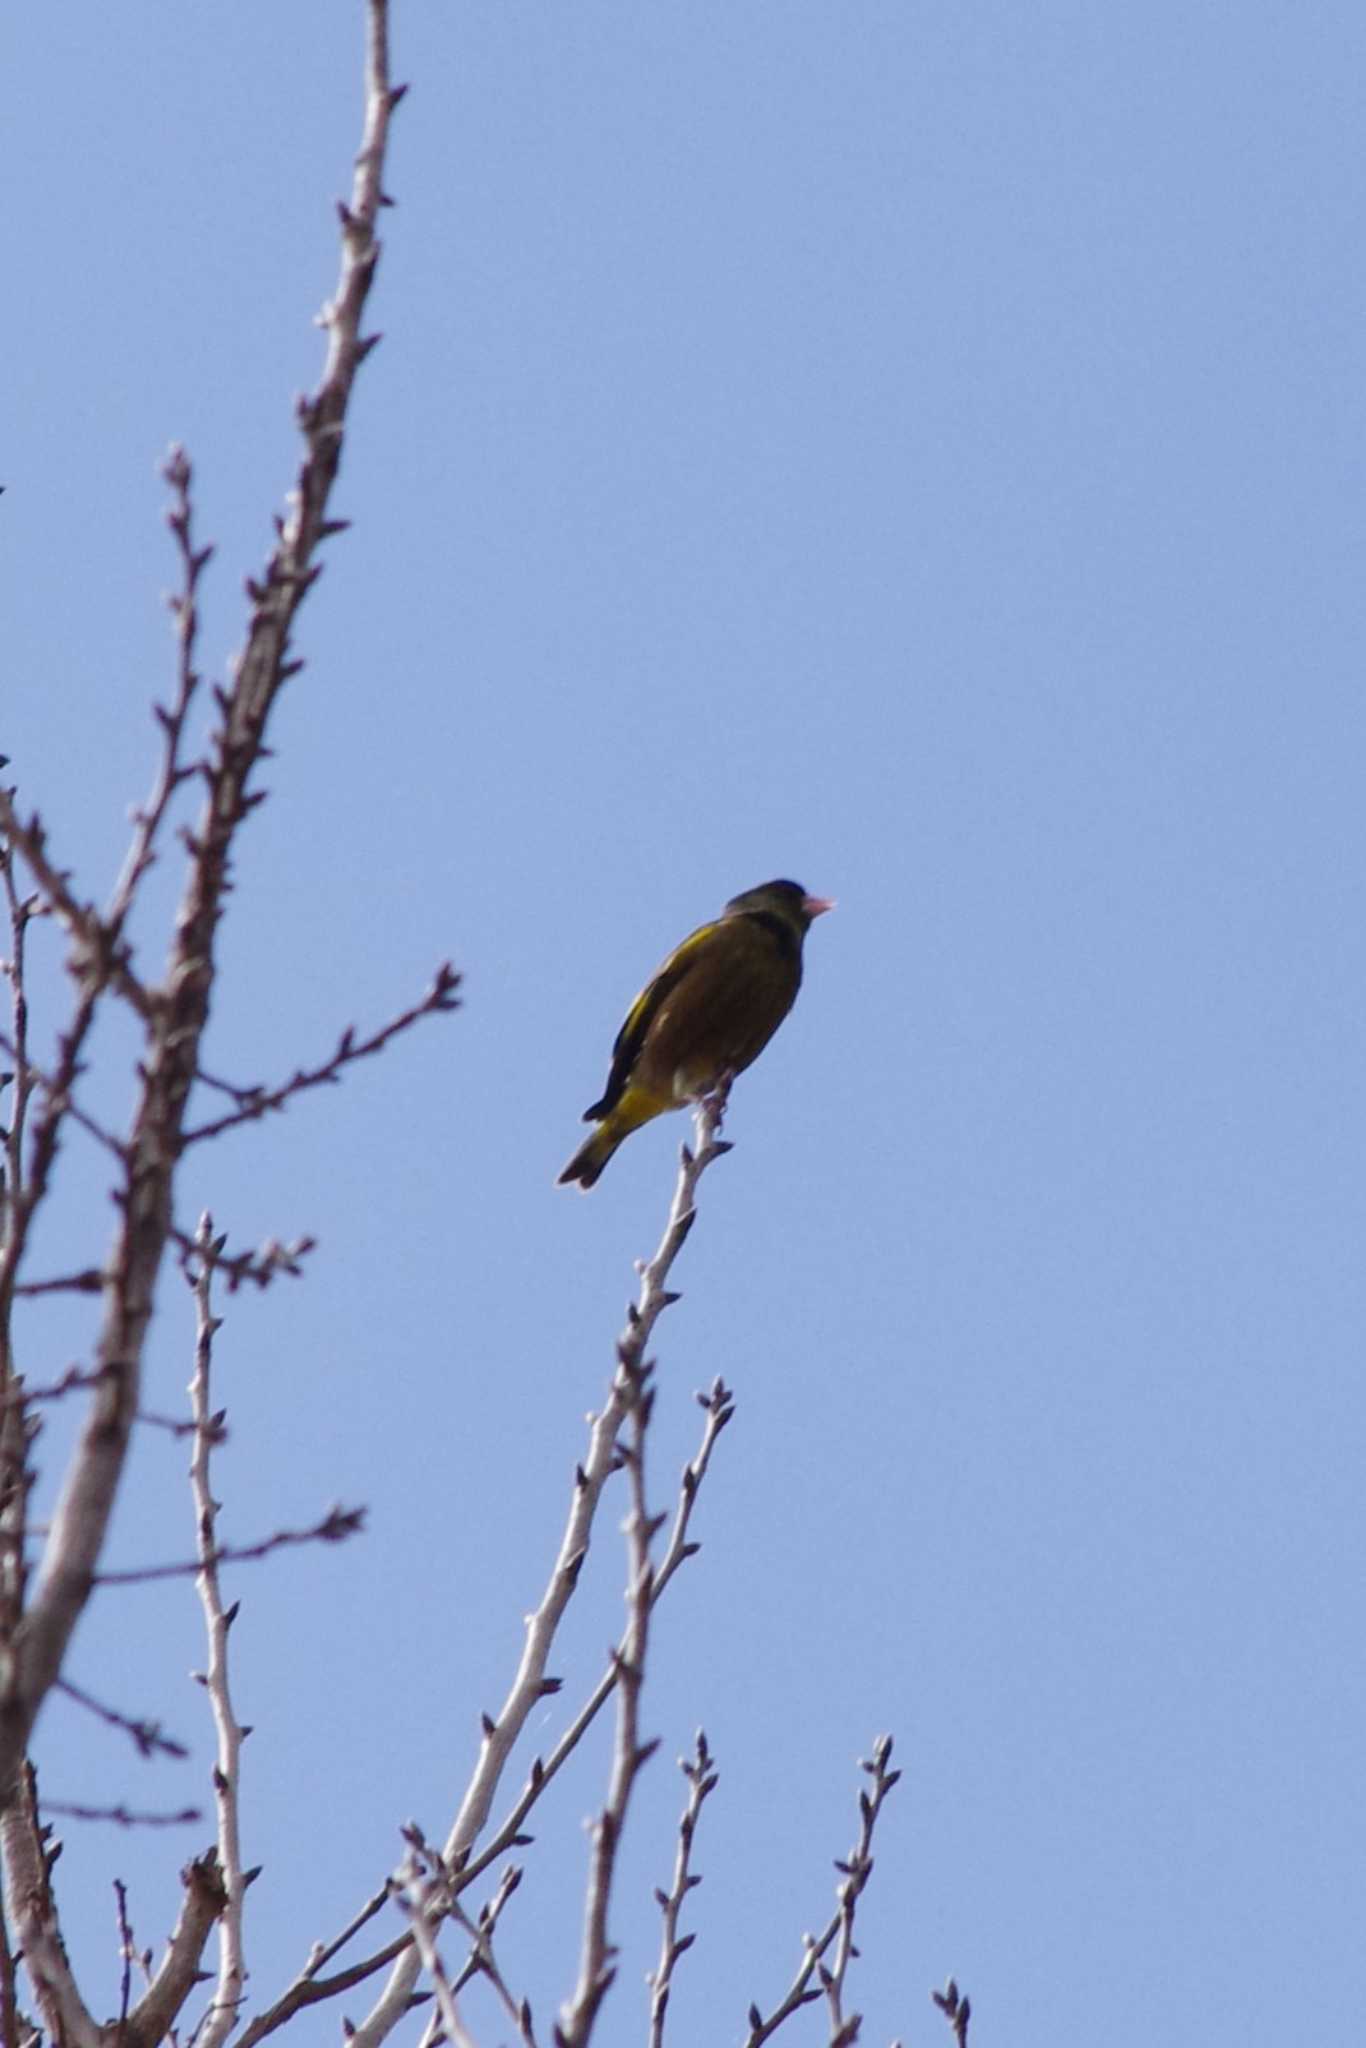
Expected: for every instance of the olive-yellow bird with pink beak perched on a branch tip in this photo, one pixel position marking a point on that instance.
(710, 1013)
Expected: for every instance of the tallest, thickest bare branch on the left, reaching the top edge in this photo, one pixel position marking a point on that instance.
(177, 1013)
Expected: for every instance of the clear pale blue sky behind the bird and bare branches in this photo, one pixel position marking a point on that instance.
(910, 450)
